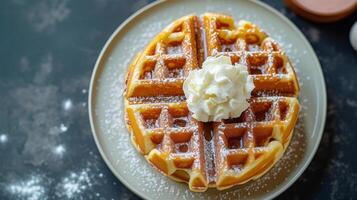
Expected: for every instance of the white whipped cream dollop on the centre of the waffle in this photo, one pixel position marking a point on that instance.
(219, 90)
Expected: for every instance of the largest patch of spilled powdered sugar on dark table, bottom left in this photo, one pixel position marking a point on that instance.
(73, 185)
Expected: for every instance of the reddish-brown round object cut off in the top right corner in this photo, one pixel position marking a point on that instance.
(322, 10)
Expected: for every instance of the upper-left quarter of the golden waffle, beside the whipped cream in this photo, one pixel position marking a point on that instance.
(165, 62)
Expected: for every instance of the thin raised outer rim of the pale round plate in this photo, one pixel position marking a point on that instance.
(96, 71)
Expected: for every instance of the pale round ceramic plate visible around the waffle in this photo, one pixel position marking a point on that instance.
(106, 101)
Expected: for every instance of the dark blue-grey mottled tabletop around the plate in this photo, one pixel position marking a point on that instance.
(47, 52)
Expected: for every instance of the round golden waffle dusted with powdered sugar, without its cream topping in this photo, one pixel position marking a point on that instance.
(214, 154)
